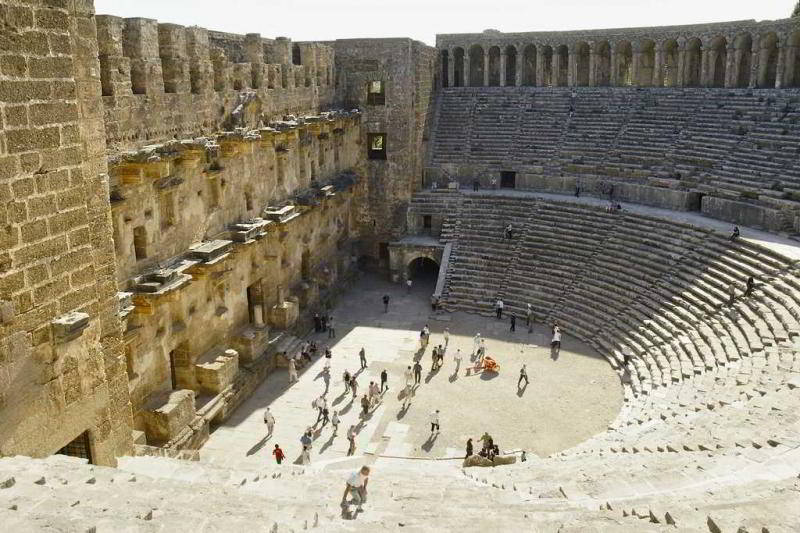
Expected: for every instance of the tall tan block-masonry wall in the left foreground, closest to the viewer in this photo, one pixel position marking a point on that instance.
(61, 374)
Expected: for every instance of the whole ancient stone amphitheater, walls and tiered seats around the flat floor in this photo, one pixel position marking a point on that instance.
(178, 202)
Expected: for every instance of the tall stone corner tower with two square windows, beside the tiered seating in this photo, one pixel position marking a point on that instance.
(406, 69)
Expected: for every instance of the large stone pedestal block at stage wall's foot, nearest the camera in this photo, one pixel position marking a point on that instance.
(167, 414)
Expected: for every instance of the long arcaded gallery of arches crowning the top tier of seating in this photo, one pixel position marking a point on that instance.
(763, 54)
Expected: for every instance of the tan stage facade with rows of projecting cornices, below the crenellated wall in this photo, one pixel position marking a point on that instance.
(185, 193)
